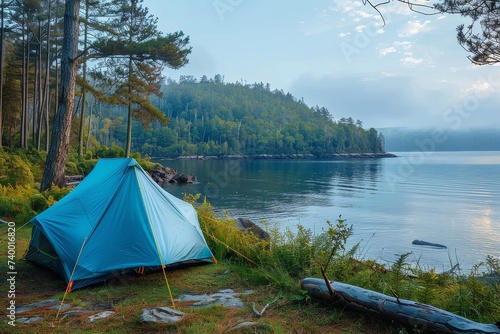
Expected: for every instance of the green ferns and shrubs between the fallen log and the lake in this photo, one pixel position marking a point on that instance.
(287, 257)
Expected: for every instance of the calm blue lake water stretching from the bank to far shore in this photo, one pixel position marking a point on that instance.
(450, 198)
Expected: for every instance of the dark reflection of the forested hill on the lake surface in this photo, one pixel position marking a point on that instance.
(276, 185)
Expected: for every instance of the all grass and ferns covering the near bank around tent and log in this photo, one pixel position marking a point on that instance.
(241, 268)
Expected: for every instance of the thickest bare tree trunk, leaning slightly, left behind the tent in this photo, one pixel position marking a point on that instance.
(61, 131)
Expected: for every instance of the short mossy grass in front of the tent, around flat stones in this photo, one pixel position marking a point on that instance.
(128, 295)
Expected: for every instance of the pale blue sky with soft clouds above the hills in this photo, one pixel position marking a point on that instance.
(410, 72)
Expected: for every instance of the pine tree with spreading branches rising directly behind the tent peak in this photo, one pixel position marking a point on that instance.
(135, 56)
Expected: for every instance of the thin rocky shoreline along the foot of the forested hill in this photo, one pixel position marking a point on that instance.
(283, 156)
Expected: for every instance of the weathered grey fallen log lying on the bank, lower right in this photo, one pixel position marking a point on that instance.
(424, 317)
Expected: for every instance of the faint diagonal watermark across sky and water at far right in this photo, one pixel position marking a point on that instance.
(453, 119)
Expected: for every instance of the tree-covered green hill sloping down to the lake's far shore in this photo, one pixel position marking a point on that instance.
(211, 118)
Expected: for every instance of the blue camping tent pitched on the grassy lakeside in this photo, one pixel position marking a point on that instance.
(117, 218)
